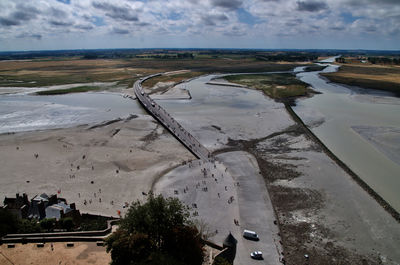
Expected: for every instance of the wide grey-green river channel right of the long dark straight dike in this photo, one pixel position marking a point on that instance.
(361, 127)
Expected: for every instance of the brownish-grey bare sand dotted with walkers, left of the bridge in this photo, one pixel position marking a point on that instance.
(99, 167)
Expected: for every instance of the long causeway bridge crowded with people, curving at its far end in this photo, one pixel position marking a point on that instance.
(170, 123)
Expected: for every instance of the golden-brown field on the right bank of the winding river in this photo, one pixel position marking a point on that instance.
(379, 77)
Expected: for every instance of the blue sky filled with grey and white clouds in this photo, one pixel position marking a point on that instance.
(258, 24)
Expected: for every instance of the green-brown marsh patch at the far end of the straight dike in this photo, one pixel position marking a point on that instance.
(276, 86)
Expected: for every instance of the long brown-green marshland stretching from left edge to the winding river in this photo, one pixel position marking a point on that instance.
(48, 71)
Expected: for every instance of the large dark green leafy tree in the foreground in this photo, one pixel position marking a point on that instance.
(156, 232)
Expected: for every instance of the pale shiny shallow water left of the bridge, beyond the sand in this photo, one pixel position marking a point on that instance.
(21, 112)
